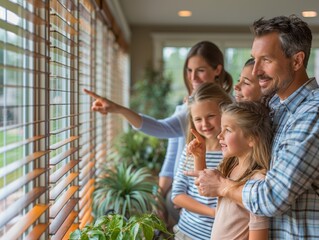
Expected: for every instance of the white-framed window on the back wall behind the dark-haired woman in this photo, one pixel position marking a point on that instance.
(171, 50)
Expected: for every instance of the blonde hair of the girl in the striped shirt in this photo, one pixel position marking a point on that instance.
(206, 91)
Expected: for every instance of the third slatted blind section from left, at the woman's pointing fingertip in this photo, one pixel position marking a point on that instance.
(86, 79)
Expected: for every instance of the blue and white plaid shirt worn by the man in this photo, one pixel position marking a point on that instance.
(288, 193)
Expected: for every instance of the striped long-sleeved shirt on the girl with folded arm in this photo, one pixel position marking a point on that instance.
(194, 225)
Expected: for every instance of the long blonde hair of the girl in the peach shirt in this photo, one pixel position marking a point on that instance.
(253, 119)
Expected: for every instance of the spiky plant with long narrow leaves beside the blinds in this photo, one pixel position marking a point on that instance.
(126, 190)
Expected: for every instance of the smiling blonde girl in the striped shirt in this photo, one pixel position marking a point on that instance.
(197, 214)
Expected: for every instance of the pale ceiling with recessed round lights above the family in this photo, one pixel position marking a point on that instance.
(212, 12)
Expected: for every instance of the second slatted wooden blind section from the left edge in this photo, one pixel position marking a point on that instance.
(64, 133)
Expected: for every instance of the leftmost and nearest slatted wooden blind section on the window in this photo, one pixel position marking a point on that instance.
(23, 129)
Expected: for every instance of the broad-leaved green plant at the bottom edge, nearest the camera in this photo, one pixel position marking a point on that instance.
(117, 227)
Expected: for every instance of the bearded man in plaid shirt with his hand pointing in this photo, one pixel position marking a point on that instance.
(289, 194)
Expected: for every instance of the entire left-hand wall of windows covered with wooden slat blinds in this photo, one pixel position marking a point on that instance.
(51, 142)
